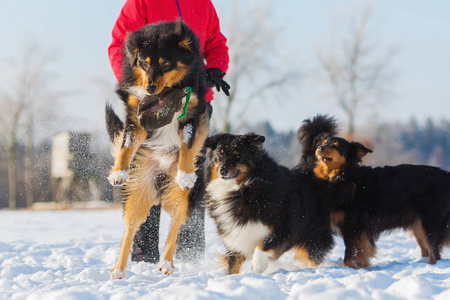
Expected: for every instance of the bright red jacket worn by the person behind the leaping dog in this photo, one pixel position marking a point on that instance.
(200, 15)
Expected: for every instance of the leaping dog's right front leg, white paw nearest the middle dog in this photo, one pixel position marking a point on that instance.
(192, 137)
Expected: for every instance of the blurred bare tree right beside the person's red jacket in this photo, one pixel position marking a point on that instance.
(252, 50)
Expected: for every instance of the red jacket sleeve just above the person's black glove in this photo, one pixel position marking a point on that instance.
(216, 50)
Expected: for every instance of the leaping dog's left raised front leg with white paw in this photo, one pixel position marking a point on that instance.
(133, 137)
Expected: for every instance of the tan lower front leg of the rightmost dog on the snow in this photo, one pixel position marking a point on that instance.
(363, 250)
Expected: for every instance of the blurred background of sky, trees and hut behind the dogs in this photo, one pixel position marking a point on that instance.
(380, 67)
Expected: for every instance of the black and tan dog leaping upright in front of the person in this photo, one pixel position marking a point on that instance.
(162, 62)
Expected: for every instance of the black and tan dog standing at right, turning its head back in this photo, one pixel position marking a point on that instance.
(365, 202)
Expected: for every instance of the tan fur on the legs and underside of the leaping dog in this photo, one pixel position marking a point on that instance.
(141, 192)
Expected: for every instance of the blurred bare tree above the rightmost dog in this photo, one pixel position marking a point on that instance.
(357, 74)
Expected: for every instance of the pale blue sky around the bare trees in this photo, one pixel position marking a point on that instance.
(80, 32)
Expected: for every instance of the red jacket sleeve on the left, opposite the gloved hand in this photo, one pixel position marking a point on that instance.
(131, 18)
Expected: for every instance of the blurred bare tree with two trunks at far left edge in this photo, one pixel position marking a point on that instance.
(22, 97)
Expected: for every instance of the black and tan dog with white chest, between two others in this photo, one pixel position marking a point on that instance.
(261, 210)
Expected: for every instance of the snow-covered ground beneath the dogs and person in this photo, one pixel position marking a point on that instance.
(68, 255)
